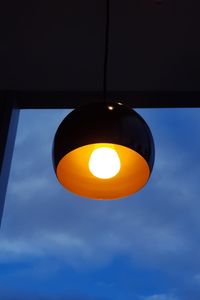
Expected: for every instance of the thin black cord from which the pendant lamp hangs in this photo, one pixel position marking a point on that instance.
(105, 71)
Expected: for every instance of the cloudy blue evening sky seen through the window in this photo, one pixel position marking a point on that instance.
(57, 246)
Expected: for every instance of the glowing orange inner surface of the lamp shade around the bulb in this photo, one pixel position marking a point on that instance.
(74, 173)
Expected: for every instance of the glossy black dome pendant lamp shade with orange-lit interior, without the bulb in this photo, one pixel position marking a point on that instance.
(107, 125)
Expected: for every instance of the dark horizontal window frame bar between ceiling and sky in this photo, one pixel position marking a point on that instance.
(73, 99)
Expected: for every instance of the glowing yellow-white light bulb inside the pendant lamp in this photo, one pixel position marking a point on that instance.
(104, 163)
